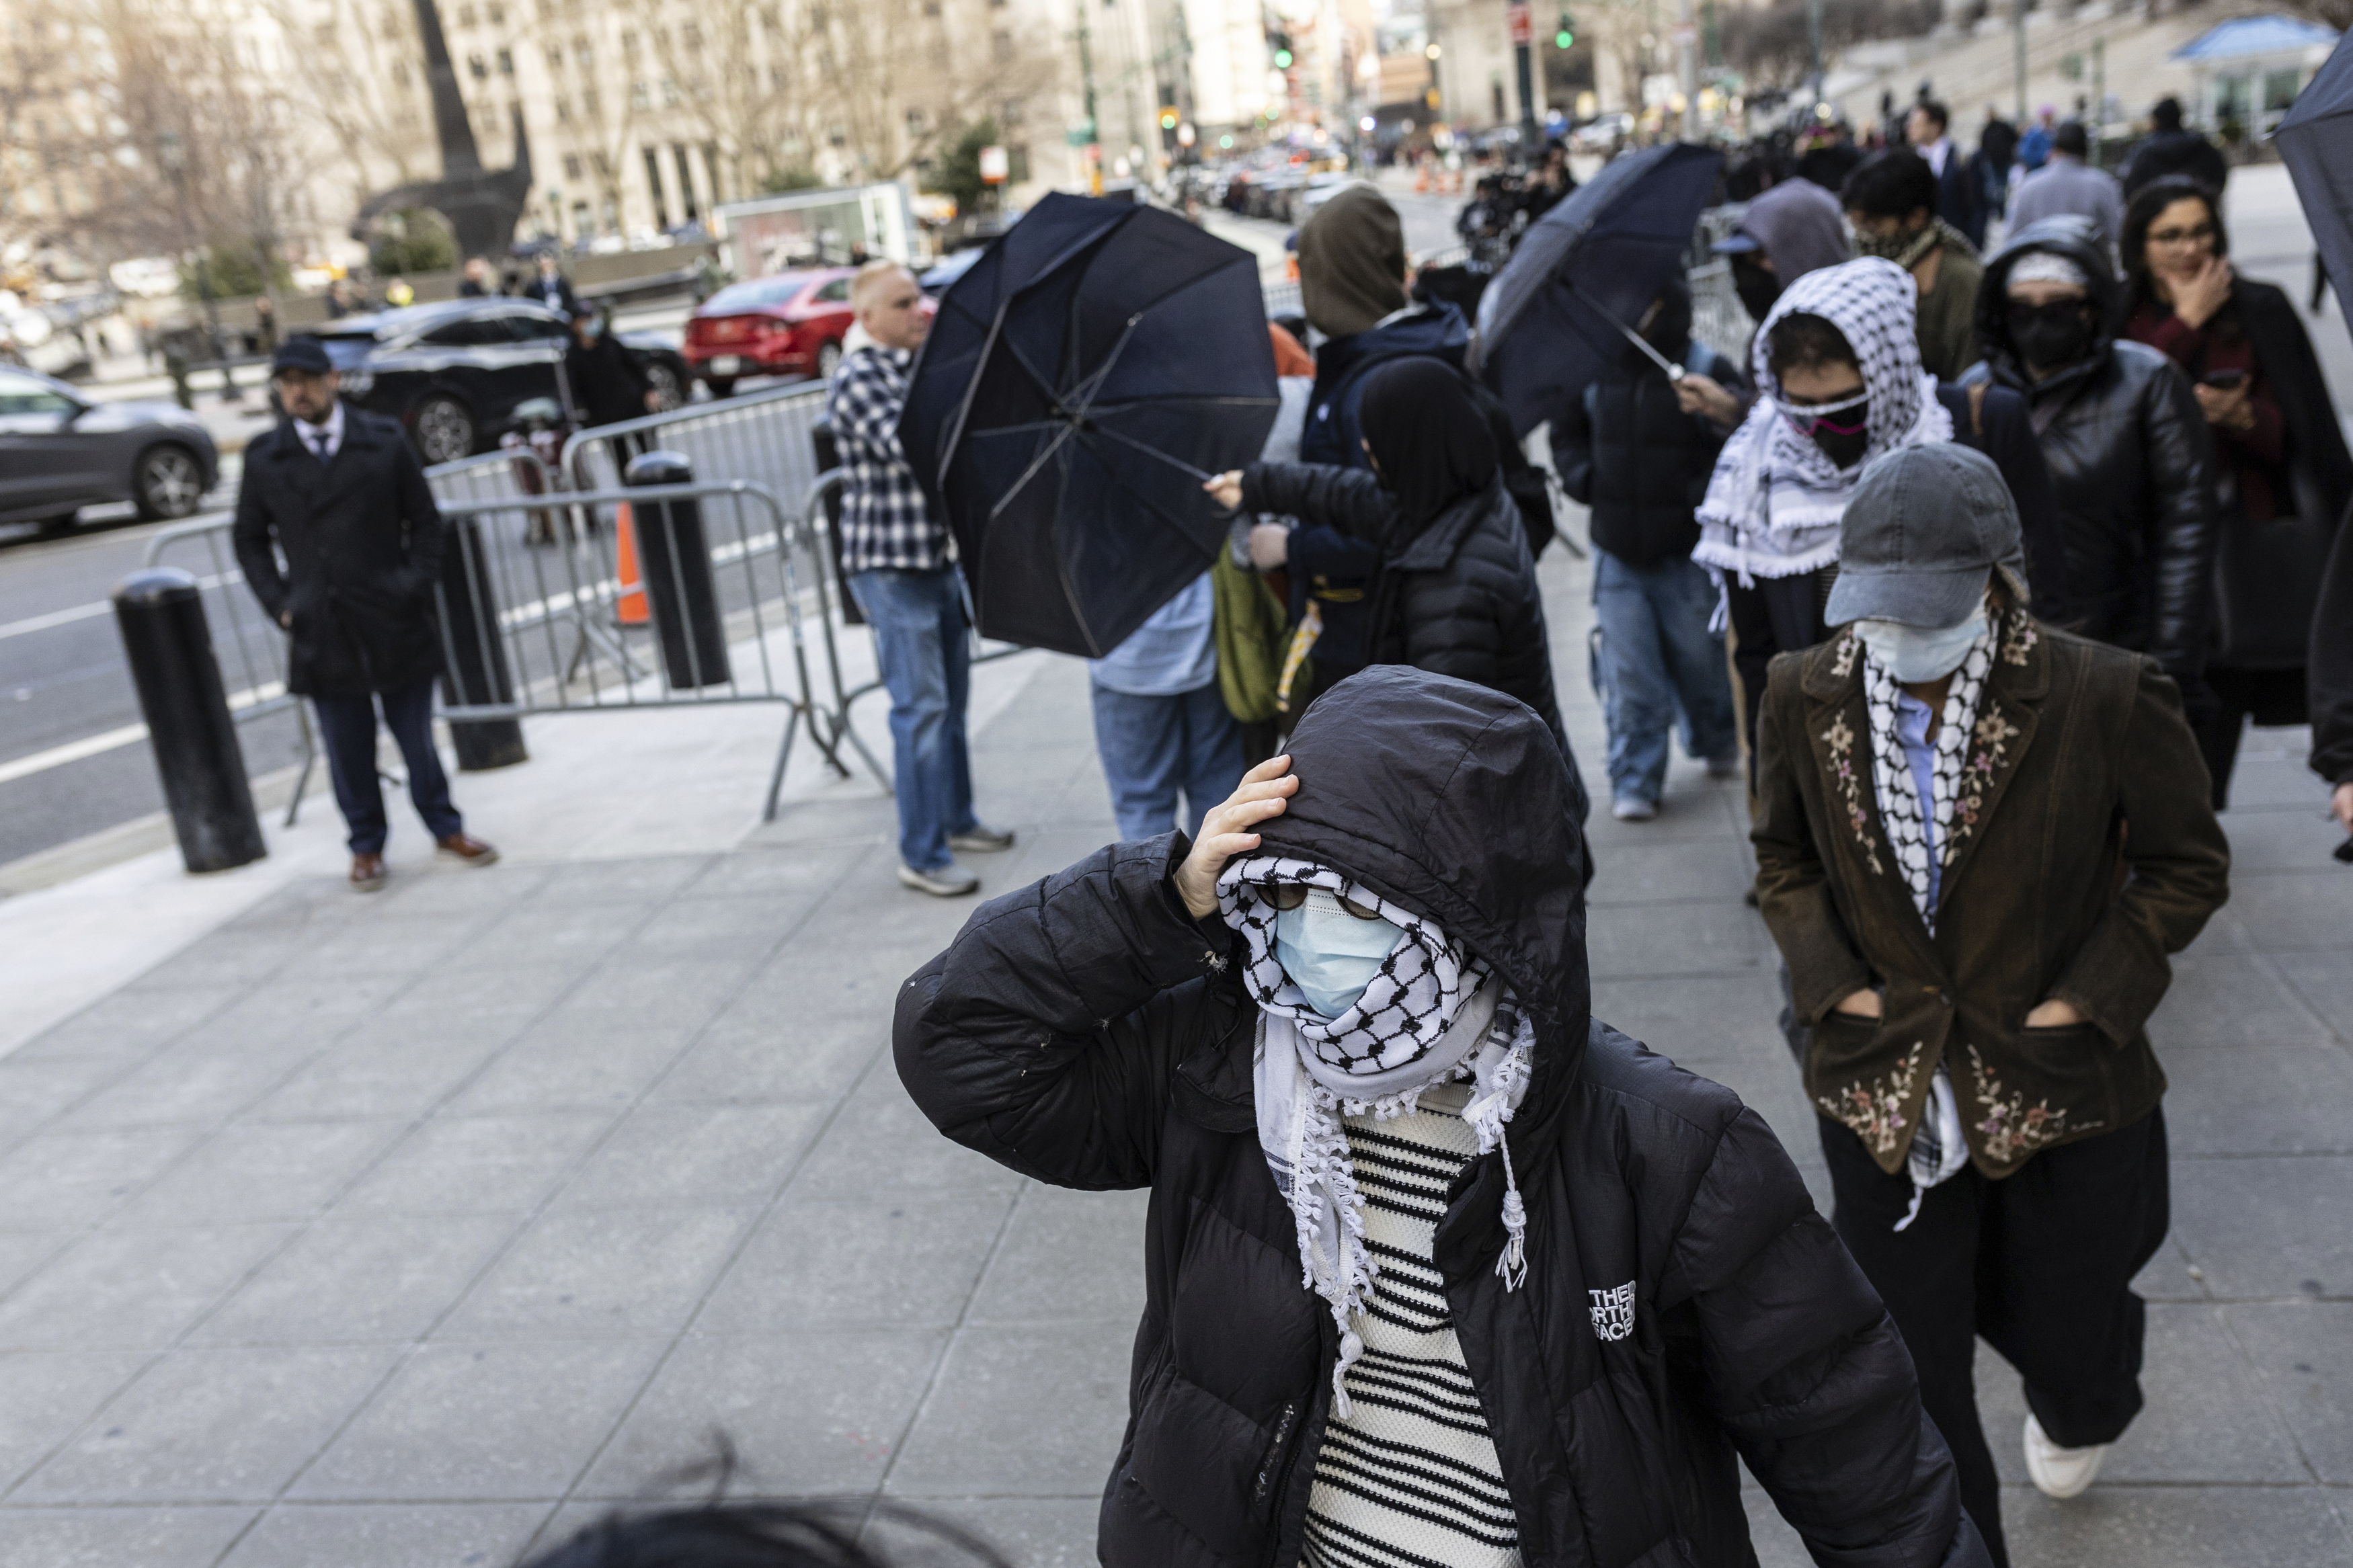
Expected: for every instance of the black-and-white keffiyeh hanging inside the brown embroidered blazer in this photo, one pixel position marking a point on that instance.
(1938, 1148)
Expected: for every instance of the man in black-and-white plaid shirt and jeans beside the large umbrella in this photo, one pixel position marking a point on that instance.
(902, 575)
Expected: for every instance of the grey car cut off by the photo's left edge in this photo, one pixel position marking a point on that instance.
(62, 453)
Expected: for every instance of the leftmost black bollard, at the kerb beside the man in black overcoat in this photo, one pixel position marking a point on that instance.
(187, 711)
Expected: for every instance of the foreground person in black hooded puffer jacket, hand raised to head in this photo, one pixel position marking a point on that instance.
(1439, 1268)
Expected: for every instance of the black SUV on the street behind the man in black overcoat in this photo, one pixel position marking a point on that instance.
(455, 373)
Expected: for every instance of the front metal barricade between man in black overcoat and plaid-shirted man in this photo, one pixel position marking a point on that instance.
(559, 617)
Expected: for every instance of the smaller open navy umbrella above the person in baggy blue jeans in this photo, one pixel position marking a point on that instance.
(1552, 319)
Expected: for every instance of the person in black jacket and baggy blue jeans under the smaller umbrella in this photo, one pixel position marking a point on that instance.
(1637, 450)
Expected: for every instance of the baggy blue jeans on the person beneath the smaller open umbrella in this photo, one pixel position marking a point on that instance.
(1658, 659)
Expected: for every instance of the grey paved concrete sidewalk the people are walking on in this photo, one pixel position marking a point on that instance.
(411, 1231)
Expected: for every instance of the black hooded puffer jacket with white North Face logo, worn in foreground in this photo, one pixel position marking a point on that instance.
(1088, 1033)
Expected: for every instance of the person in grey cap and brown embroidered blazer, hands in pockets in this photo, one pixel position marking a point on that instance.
(1978, 845)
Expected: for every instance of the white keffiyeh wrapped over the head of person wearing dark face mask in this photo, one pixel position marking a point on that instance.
(1775, 500)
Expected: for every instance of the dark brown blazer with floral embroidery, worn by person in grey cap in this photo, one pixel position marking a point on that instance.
(2084, 857)
